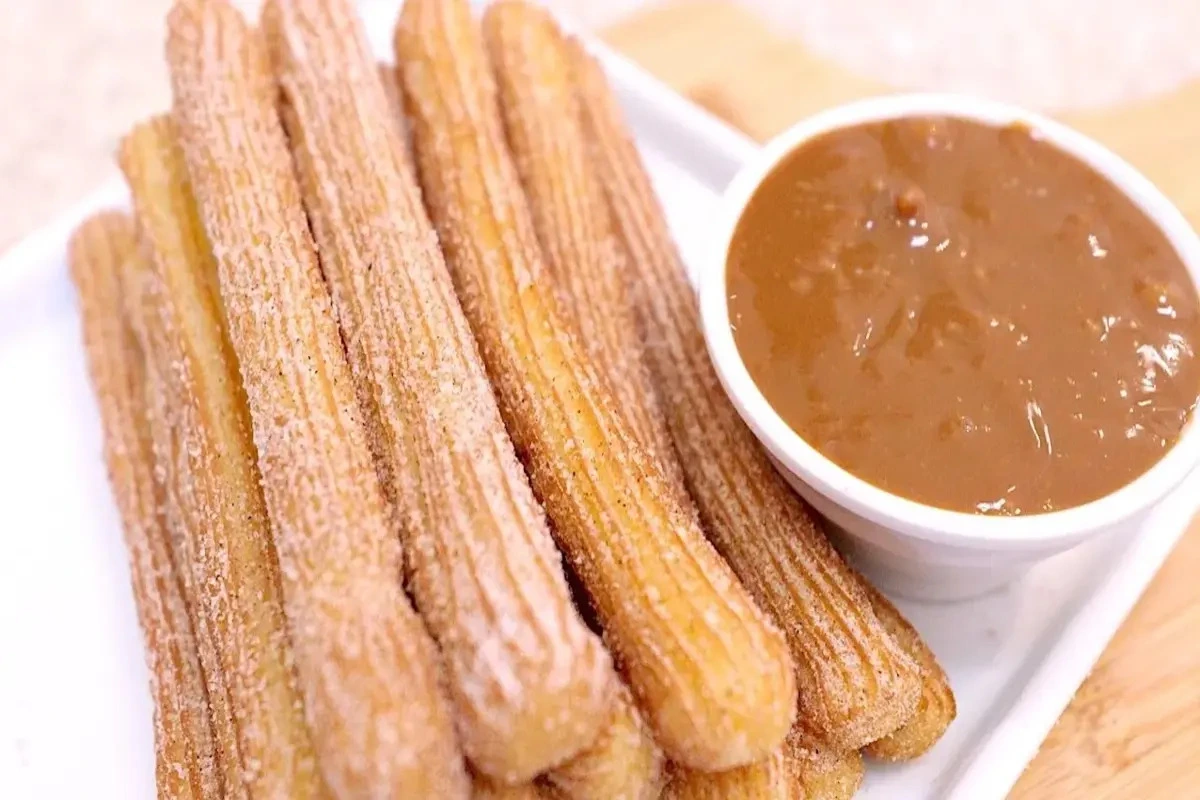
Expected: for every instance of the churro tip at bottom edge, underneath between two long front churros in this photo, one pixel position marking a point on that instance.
(623, 765)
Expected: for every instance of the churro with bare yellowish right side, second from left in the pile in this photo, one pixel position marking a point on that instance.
(211, 456)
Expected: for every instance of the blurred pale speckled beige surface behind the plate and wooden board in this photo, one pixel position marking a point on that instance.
(76, 74)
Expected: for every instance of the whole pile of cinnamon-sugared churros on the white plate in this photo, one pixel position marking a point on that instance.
(389, 360)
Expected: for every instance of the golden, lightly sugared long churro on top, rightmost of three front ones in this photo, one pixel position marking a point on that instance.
(711, 673)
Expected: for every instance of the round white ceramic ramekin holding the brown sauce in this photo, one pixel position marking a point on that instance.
(909, 548)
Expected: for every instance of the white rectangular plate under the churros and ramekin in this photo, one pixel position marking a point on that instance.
(75, 711)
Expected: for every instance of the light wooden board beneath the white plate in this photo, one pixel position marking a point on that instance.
(1133, 731)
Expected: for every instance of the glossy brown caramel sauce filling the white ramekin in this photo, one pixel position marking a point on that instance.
(964, 316)
